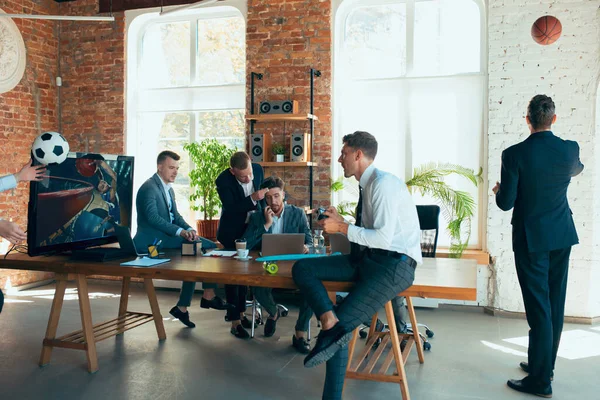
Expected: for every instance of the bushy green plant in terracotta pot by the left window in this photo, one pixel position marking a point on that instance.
(209, 158)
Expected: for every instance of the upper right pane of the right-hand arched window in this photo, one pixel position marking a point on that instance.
(447, 37)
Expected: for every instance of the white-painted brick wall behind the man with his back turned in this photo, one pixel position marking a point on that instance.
(568, 71)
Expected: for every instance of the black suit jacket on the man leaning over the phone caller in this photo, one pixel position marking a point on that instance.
(235, 205)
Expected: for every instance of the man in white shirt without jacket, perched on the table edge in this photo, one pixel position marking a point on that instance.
(385, 252)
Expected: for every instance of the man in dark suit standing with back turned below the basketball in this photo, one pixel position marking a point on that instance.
(534, 180)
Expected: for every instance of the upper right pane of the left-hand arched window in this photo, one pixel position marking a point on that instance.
(221, 51)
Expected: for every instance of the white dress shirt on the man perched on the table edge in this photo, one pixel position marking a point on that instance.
(389, 216)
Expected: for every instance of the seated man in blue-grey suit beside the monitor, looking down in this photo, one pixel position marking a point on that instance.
(158, 219)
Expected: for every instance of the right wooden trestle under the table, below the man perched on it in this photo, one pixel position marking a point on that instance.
(362, 367)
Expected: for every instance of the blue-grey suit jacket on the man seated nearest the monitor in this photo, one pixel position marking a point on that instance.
(154, 220)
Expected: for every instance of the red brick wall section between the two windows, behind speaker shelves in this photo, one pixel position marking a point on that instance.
(285, 38)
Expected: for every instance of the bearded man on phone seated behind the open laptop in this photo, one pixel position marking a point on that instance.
(279, 217)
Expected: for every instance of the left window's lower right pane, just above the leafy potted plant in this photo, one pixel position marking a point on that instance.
(226, 126)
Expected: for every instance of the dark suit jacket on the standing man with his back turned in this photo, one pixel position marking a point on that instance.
(534, 180)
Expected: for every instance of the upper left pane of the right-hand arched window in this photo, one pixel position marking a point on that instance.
(375, 42)
